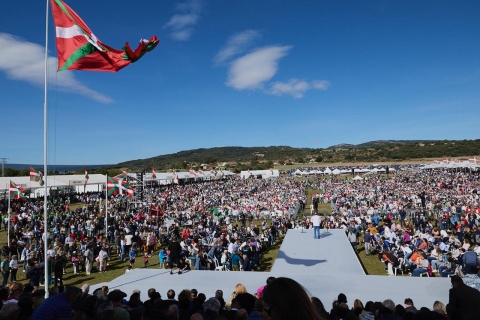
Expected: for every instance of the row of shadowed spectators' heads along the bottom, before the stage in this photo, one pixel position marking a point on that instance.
(278, 299)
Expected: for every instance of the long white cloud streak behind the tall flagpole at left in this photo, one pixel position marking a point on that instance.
(25, 61)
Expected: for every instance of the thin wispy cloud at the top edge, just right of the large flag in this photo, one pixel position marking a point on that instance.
(181, 23)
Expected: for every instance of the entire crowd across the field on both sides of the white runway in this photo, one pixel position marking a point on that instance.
(418, 221)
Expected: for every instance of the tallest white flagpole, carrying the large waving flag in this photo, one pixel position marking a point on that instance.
(45, 169)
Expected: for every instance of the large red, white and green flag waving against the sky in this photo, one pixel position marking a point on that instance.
(79, 49)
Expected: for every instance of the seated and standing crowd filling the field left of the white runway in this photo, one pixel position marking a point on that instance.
(227, 223)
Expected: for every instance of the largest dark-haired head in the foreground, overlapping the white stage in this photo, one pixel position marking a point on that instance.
(286, 299)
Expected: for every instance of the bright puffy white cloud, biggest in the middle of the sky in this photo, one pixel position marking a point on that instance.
(253, 69)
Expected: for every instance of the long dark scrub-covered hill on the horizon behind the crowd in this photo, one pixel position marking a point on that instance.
(250, 157)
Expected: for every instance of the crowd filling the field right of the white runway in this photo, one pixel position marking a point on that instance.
(422, 222)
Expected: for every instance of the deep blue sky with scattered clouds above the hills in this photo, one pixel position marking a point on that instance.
(242, 73)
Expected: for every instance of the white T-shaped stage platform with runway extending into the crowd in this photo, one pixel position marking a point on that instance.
(325, 267)
